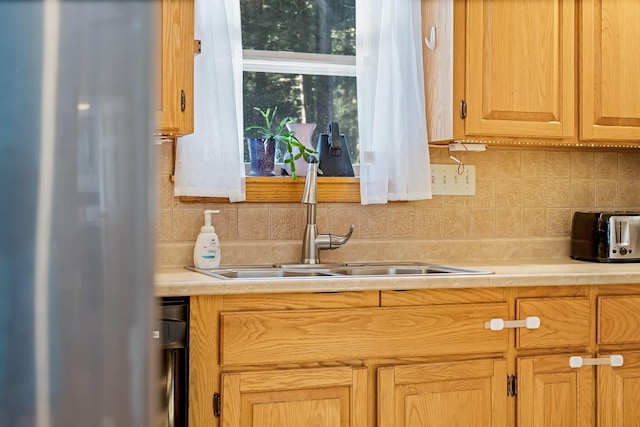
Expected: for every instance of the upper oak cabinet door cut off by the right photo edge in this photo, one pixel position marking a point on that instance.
(610, 56)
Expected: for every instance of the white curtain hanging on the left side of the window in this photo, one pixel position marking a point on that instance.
(209, 162)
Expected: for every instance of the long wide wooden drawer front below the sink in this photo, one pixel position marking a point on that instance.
(298, 336)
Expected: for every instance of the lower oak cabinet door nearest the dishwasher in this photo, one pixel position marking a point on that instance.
(324, 397)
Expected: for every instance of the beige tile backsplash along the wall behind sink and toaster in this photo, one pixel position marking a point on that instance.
(523, 207)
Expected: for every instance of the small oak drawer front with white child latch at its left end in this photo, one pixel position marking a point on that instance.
(564, 322)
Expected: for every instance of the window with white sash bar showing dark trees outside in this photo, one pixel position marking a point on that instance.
(299, 56)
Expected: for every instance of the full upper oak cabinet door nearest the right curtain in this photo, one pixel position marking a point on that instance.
(520, 76)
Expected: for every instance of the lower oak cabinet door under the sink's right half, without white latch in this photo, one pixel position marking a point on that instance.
(452, 394)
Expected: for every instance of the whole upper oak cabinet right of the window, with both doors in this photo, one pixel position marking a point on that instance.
(546, 72)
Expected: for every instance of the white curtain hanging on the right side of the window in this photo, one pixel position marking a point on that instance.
(394, 153)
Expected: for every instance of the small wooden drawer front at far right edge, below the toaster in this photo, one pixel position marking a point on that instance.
(618, 320)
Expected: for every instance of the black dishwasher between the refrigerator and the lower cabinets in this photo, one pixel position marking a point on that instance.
(173, 337)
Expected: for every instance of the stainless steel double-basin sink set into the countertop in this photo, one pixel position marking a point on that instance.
(289, 271)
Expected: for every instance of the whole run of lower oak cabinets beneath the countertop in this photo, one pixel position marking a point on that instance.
(417, 358)
